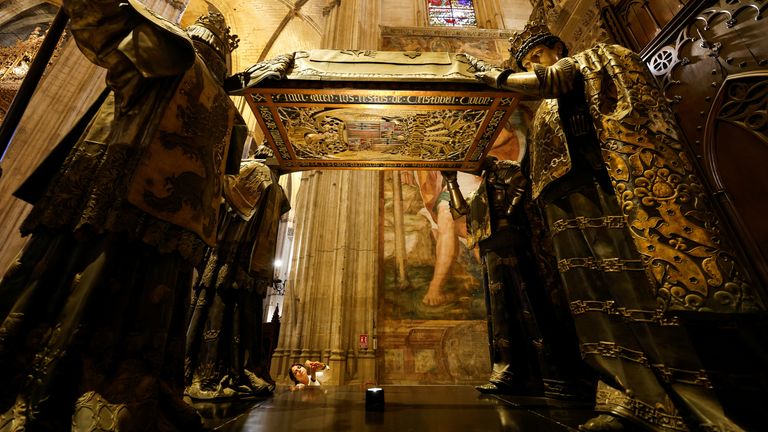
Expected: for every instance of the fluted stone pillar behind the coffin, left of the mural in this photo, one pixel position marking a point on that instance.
(330, 298)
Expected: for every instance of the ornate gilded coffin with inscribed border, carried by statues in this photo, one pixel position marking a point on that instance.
(327, 109)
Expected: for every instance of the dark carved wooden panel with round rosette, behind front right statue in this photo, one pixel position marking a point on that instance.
(709, 66)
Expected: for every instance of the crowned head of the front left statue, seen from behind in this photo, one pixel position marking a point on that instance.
(214, 43)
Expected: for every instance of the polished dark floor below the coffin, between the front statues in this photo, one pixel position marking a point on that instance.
(407, 408)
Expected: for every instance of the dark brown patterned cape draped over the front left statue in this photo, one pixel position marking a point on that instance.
(153, 159)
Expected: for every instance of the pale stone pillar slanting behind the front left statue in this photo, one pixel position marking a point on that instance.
(66, 91)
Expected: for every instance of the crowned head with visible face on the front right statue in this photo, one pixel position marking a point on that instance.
(536, 44)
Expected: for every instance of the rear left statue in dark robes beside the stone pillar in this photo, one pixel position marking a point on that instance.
(223, 355)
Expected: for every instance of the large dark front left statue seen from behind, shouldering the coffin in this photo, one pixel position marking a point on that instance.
(93, 309)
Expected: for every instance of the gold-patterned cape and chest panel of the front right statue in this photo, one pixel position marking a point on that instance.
(665, 205)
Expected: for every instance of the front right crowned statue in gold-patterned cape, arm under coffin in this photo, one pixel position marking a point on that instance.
(635, 237)
